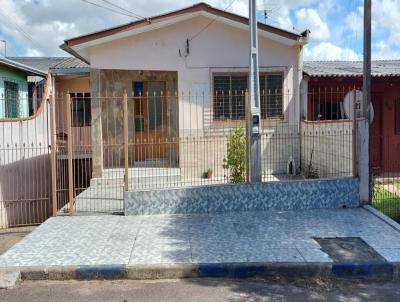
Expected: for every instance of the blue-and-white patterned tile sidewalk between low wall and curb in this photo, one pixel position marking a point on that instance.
(269, 236)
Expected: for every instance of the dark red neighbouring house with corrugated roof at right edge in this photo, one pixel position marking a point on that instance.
(327, 84)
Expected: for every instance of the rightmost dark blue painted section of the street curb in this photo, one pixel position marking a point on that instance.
(363, 270)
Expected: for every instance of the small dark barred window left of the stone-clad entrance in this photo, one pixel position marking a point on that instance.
(81, 111)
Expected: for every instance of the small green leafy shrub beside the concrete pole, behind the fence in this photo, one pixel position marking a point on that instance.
(235, 160)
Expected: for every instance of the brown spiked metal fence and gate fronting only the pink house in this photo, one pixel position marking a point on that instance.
(110, 144)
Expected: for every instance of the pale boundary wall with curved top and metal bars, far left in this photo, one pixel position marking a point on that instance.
(25, 169)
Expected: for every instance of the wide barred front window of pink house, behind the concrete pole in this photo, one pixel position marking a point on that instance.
(229, 98)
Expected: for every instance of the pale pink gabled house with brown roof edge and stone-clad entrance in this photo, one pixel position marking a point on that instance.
(180, 81)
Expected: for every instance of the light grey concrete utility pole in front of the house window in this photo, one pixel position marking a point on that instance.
(254, 112)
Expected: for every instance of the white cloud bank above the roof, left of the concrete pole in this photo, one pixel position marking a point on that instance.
(49, 22)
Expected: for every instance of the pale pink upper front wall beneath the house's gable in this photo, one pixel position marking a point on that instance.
(218, 48)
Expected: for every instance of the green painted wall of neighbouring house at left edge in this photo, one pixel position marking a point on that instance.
(20, 78)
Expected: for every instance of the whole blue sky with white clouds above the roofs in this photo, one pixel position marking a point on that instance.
(38, 27)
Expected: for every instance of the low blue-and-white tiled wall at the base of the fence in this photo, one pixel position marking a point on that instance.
(280, 195)
